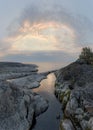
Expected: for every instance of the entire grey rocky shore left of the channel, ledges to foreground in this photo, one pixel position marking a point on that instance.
(18, 104)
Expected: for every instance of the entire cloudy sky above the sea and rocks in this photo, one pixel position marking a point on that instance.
(45, 30)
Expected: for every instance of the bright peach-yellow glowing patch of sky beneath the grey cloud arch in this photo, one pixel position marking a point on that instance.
(44, 36)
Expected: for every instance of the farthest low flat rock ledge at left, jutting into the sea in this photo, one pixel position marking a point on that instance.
(9, 70)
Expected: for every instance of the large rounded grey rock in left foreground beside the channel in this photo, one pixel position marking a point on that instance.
(19, 107)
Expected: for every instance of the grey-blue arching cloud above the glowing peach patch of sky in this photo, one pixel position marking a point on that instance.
(42, 11)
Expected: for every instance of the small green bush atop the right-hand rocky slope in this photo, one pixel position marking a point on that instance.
(87, 55)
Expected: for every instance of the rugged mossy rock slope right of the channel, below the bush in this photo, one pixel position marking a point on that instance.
(74, 89)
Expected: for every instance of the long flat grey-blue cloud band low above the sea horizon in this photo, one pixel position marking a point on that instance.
(48, 56)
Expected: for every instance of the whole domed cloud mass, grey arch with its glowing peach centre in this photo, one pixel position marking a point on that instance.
(47, 25)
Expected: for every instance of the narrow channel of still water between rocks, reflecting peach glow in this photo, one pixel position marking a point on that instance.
(48, 120)
